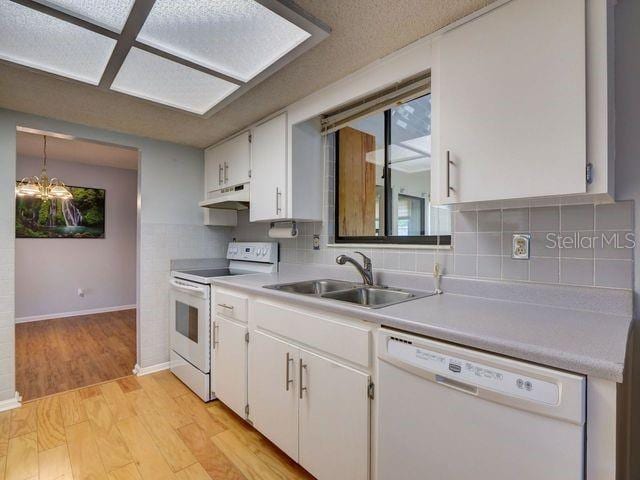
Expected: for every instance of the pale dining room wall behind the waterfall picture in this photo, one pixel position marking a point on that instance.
(104, 268)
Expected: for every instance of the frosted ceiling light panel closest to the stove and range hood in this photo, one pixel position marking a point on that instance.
(154, 78)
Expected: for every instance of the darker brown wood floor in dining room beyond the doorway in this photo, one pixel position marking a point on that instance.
(65, 353)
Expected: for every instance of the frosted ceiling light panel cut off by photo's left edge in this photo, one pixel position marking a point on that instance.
(37, 40)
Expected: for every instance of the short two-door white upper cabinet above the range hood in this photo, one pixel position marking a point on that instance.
(227, 164)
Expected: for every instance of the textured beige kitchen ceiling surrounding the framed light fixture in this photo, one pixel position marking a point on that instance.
(362, 31)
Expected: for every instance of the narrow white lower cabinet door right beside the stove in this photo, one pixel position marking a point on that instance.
(230, 364)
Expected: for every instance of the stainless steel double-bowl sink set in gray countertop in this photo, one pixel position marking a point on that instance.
(368, 296)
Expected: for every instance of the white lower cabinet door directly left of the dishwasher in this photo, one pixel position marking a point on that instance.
(334, 419)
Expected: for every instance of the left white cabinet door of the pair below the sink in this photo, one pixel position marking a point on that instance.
(274, 391)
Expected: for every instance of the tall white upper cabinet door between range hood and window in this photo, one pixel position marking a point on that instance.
(268, 170)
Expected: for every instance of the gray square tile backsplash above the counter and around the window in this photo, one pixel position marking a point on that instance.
(482, 244)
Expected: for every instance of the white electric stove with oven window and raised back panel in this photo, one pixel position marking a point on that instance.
(191, 296)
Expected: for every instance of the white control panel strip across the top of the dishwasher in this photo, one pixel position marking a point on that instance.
(475, 374)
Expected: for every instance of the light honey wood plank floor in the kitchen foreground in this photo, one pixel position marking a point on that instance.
(135, 428)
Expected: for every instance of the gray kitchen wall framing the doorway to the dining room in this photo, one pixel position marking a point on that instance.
(170, 225)
